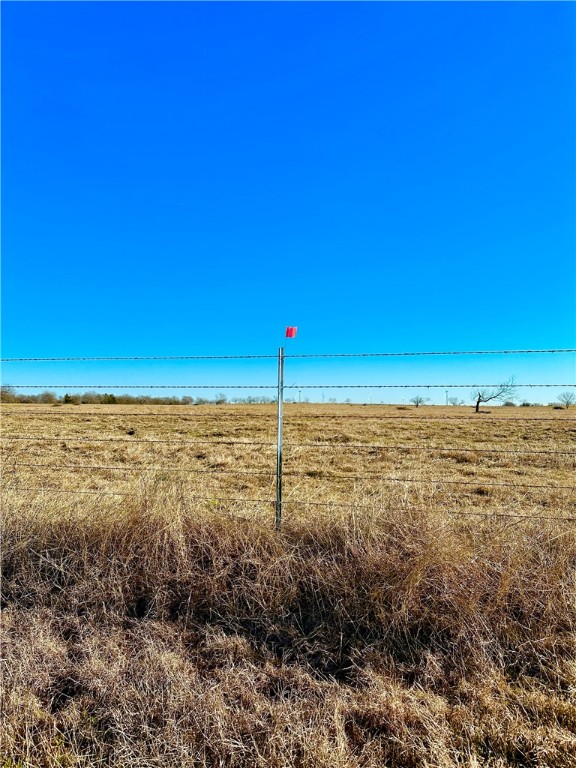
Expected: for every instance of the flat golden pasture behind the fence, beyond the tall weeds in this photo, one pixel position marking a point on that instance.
(445, 459)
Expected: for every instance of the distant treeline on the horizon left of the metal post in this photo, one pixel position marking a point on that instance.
(9, 395)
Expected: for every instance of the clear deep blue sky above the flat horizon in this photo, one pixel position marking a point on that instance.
(188, 178)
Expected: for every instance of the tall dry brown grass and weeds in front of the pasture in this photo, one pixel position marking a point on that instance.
(159, 633)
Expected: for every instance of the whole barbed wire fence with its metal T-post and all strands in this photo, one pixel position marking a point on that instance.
(278, 472)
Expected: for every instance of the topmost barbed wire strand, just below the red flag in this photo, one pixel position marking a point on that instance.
(269, 357)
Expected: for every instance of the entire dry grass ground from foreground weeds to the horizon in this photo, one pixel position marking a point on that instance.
(405, 616)
